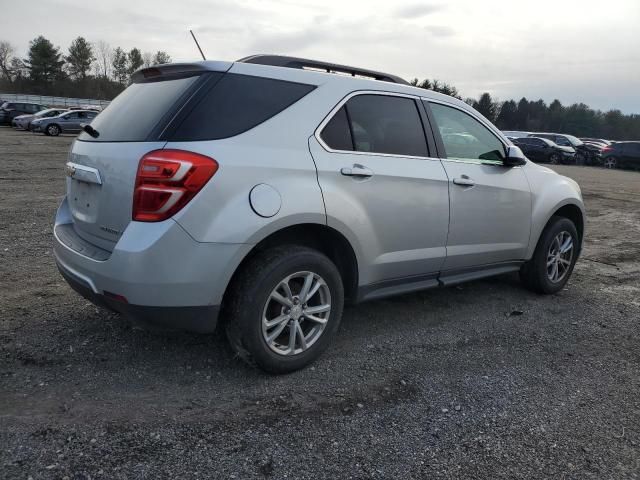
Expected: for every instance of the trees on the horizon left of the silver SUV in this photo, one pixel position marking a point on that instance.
(86, 70)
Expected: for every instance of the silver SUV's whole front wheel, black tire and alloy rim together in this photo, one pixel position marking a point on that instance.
(549, 269)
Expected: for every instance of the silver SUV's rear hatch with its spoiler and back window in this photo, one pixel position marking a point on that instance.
(101, 171)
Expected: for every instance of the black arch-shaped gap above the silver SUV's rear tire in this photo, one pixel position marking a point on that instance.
(321, 237)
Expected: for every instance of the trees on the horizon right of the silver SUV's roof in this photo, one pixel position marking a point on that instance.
(536, 116)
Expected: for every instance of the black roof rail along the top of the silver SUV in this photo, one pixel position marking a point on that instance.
(306, 64)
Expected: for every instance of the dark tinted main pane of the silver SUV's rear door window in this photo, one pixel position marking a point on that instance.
(386, 124)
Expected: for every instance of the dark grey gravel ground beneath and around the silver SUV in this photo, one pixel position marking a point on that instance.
(486, 380)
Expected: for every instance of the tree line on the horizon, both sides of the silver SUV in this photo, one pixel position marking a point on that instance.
(96, 70)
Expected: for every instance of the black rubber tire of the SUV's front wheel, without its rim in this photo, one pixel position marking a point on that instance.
(534, 272)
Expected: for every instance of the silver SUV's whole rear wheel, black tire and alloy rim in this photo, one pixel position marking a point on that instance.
(284, 308)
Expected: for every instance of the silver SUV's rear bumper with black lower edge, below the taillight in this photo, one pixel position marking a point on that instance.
(166, 277)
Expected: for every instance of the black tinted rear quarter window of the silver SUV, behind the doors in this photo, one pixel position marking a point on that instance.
(237, 103)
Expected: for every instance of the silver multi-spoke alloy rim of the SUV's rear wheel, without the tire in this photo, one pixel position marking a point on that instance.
(296, 313)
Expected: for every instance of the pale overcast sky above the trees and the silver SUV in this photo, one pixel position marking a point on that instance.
(576, 51)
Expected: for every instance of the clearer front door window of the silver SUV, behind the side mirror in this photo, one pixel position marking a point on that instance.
(464, 137)
